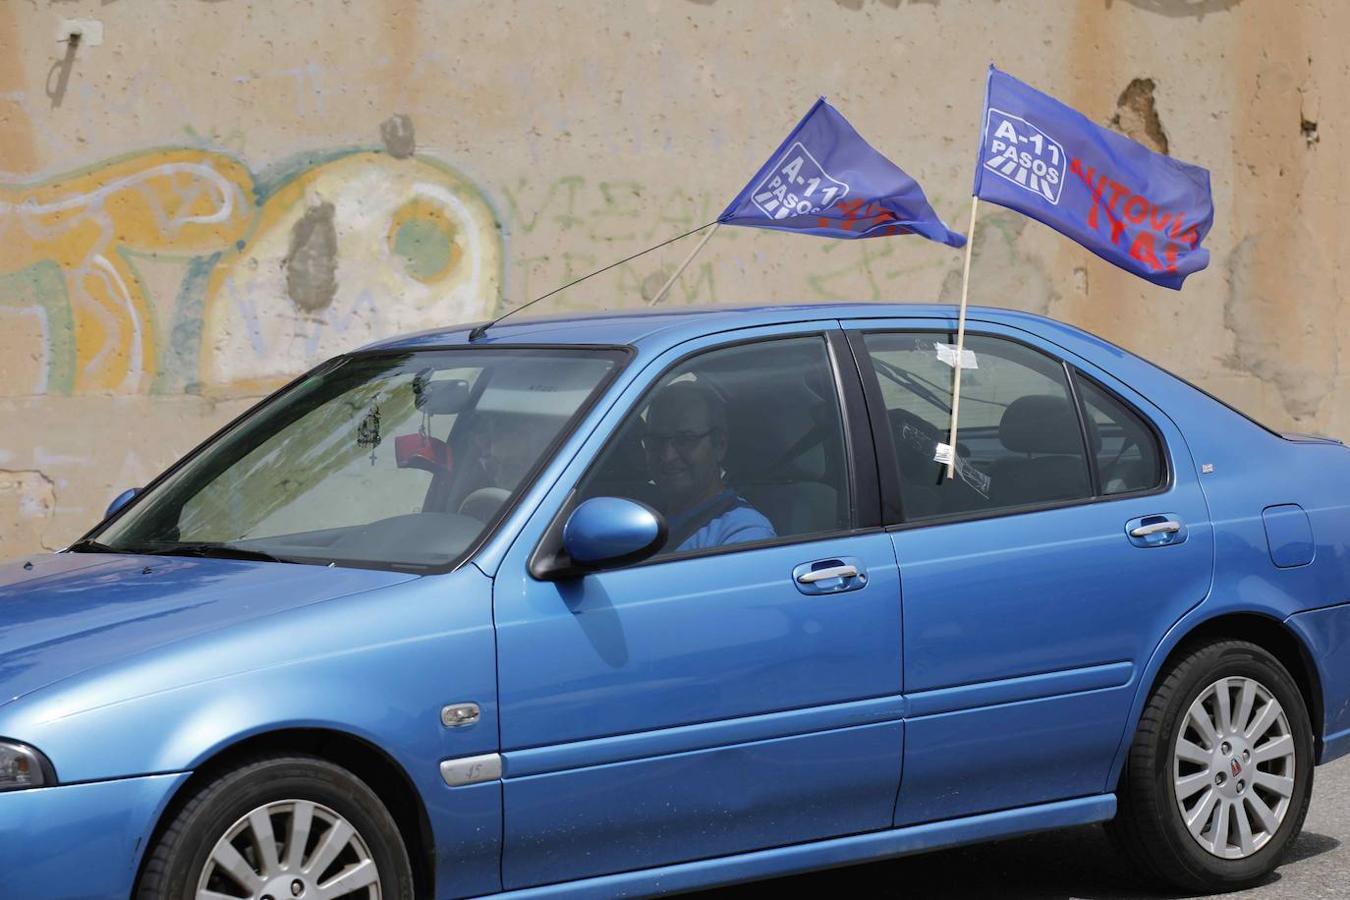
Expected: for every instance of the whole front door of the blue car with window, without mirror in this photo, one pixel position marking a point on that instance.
(742, 689)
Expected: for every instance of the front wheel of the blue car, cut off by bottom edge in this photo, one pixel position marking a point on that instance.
(280, 828)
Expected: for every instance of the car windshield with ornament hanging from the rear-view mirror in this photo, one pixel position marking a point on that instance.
(391, 459)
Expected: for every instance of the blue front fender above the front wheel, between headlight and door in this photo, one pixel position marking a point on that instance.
(402, 654)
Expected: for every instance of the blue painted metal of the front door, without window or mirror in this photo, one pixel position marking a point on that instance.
(655, 713)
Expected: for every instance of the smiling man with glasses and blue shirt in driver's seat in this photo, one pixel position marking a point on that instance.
(685, 445)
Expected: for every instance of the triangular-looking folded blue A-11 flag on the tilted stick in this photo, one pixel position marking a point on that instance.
(826, 180)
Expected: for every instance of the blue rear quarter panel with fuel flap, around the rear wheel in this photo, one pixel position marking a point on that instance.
(1247, 469)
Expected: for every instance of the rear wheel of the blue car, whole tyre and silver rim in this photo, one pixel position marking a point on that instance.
(1220, 775)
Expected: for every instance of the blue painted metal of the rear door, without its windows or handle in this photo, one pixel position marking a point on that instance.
(1012, 617)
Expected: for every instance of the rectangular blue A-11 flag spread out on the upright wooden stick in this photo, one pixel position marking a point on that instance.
(1136, 208)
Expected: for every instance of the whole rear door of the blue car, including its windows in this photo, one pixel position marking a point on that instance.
(1039, 582)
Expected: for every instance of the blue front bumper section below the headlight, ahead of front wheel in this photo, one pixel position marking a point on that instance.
(79, 840)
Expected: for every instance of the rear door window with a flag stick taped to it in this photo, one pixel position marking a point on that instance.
(1020, 441)
